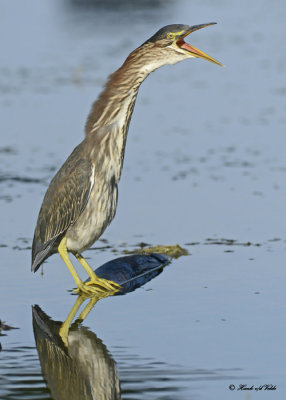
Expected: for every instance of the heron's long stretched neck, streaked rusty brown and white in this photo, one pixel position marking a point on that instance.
(108, 121)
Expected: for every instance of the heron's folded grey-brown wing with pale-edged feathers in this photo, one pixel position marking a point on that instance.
(63, 203)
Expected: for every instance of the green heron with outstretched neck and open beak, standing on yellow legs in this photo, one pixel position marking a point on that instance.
(81, 199)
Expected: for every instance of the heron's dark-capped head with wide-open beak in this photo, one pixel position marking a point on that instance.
(168, 46)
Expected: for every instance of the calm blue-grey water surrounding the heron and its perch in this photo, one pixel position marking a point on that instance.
(205, 168)
